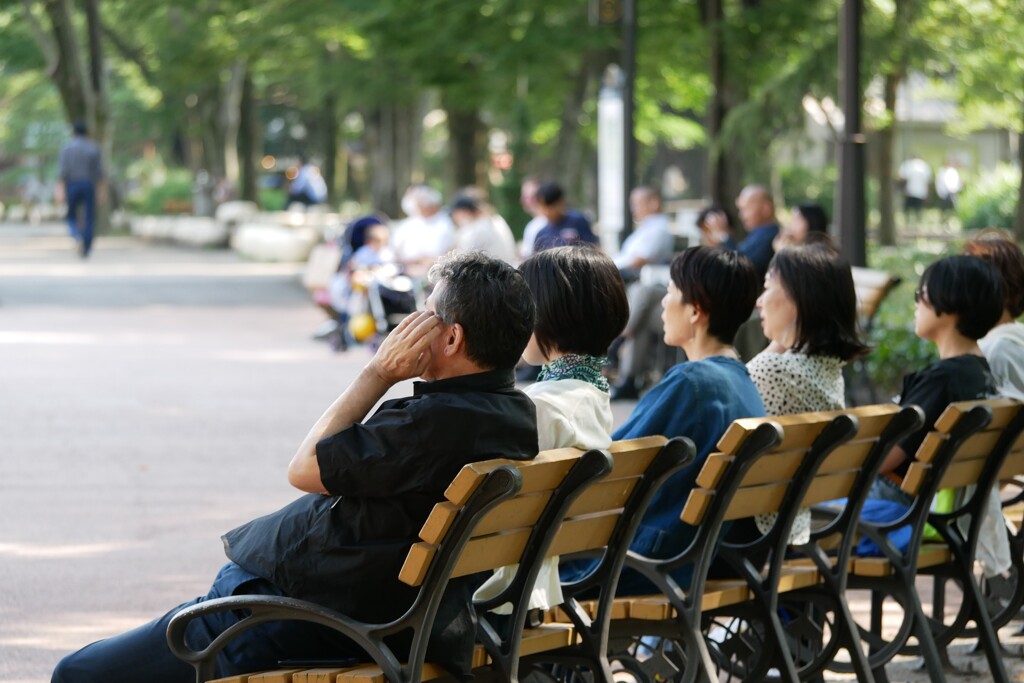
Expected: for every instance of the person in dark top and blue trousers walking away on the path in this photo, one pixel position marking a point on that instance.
(81, 174)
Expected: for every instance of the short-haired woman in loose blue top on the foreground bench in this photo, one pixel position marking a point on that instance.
(711, 294)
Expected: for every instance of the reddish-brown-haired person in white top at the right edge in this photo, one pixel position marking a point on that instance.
(1004, 346)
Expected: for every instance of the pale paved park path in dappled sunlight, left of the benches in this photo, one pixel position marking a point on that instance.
(151, 399)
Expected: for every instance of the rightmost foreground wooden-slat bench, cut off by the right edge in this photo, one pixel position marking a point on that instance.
(974, 444)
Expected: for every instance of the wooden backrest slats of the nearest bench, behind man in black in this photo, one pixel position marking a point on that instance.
(503, 535)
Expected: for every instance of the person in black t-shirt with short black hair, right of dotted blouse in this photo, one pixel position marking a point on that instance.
(958, 302)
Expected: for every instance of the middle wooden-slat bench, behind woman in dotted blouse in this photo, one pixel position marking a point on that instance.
(764, 465)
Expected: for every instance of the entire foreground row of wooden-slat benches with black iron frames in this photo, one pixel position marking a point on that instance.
(792, 616)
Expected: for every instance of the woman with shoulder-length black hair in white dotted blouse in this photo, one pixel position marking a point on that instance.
(809, 314)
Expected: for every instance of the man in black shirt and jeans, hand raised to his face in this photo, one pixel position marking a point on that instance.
(370, 487)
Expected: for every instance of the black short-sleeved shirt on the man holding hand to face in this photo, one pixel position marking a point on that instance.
(346, 550)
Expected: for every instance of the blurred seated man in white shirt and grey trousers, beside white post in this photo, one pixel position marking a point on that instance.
(652, 242)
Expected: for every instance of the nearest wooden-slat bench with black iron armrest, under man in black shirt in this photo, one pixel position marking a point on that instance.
(496, 514)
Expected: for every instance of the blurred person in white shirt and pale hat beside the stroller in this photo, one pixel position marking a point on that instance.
(426, 235)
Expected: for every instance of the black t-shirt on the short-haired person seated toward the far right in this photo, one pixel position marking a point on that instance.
(944, 382)
